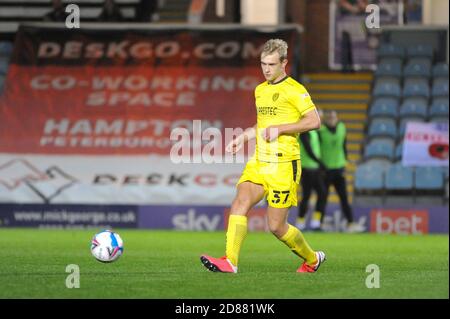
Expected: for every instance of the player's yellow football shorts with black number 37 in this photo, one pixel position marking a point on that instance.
(280, 180)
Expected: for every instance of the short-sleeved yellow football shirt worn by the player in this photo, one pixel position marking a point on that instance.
(281, 103)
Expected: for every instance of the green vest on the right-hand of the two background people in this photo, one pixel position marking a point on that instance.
(332, 146)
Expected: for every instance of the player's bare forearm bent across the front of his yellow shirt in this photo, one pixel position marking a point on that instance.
(309, 121)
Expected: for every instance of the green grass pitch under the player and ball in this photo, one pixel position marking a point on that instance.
(165, 264)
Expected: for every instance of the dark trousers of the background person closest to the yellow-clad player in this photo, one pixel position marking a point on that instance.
(312, 179)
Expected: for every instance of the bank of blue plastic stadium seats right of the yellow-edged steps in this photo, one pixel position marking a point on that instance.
(409, 86)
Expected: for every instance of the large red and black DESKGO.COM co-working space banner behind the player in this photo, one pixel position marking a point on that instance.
(99, 91)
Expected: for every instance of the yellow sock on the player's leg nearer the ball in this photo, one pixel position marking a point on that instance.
(236, 233)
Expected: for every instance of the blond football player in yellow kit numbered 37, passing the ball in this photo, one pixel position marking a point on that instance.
(284, 109)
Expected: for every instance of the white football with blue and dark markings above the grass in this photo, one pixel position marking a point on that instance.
(107, 246)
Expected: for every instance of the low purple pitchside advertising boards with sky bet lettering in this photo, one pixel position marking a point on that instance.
(414, 220)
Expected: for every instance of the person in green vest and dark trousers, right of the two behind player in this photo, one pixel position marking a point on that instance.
(333, 140)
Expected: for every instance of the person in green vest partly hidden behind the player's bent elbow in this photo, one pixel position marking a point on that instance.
(312, 179)
